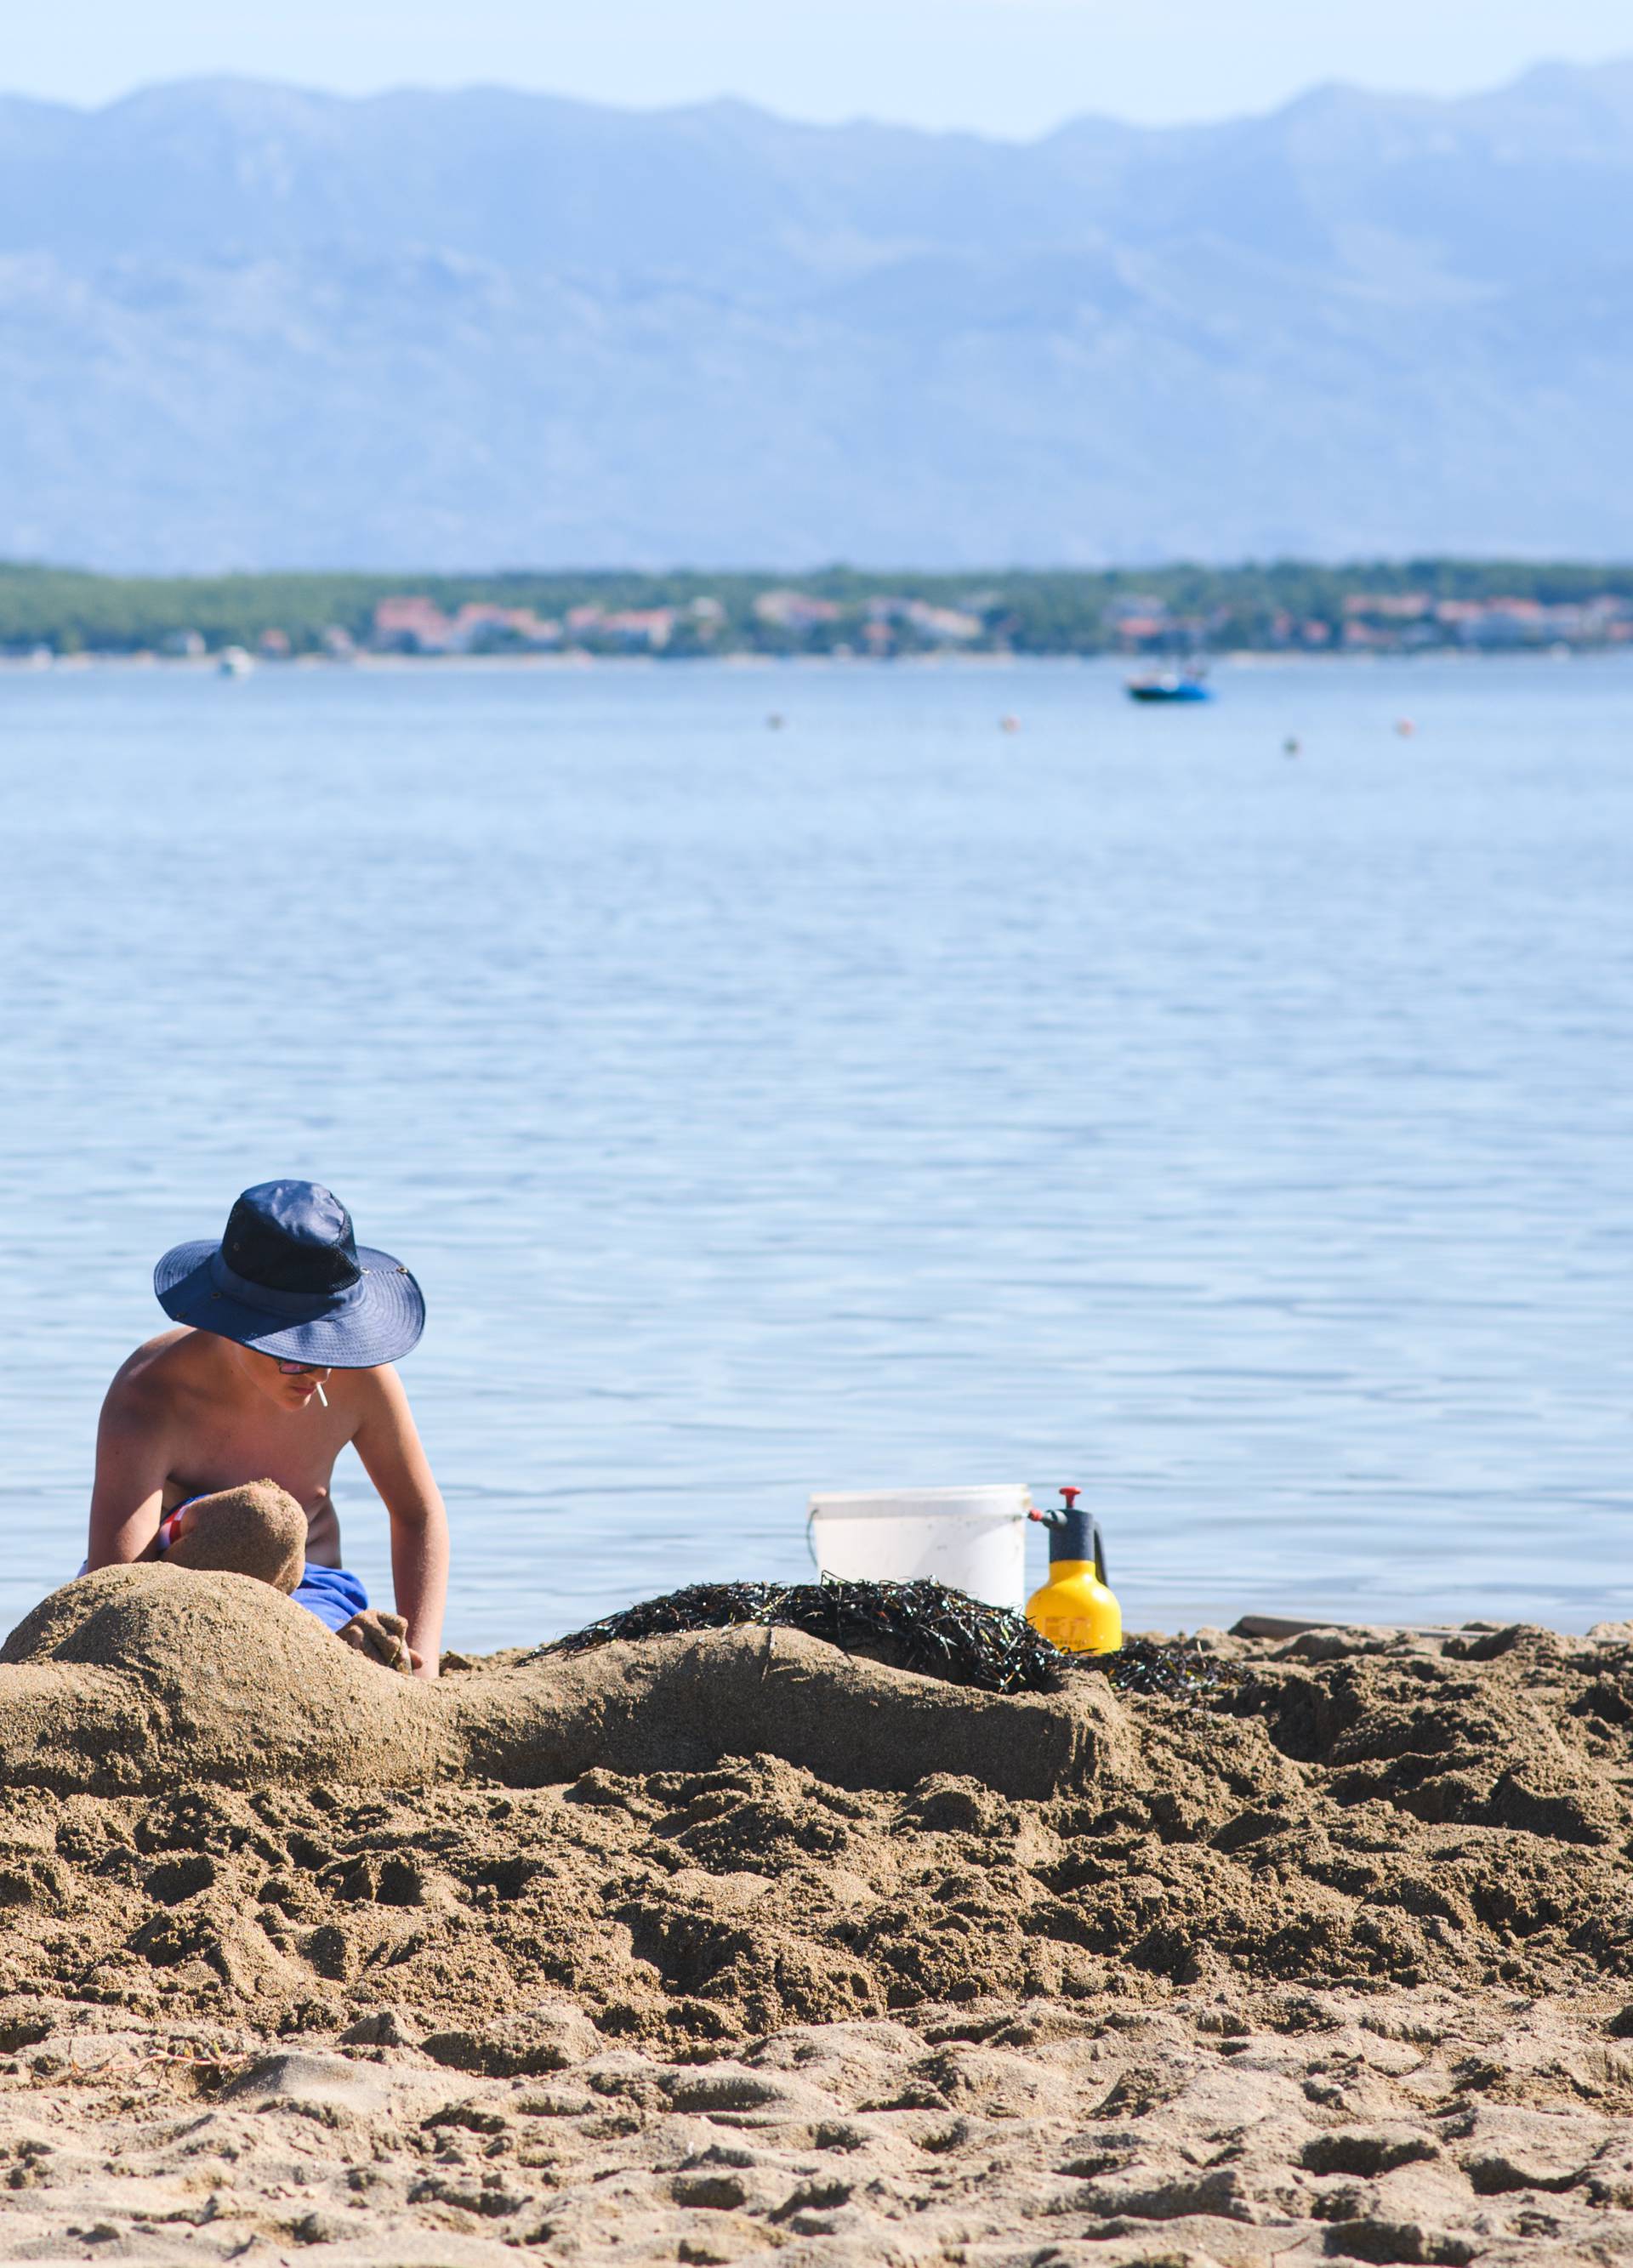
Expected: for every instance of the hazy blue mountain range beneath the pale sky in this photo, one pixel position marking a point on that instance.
(246, 325)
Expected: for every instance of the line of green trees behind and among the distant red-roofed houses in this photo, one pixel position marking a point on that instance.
(1049, 611)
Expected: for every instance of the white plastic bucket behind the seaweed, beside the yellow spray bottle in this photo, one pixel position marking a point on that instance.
(972, 1539)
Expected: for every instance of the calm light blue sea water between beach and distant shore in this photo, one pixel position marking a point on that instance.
(874, 1101)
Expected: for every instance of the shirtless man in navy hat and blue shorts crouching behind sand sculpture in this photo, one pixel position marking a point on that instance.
(219, 1439)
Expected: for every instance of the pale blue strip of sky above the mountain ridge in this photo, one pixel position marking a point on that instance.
(1004, 67)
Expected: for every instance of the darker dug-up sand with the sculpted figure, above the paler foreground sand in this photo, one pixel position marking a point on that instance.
(205, 1800)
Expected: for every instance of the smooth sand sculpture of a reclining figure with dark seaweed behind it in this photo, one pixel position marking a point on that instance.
(149, 1679)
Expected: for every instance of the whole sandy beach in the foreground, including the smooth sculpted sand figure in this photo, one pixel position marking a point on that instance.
(729, 1945)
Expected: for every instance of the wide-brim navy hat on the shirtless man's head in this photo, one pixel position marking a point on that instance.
(291, 1280)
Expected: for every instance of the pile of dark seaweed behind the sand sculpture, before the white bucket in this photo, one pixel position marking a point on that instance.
(927, 1627)
